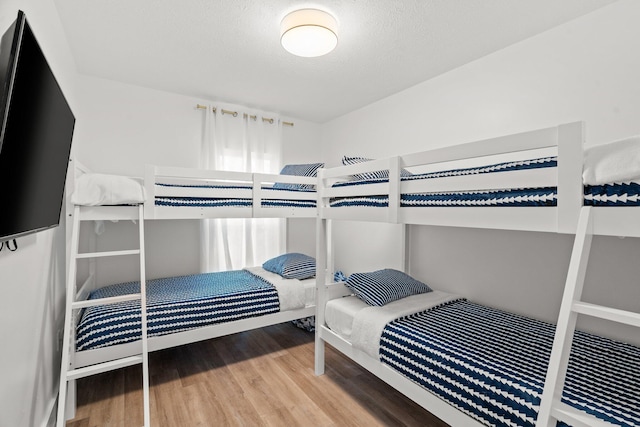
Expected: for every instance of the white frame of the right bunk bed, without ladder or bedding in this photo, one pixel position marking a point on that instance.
(567, 140)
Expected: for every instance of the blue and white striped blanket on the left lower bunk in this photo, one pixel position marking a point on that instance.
(175, 304)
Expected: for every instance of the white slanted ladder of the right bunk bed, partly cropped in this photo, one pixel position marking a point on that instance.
(551, 407)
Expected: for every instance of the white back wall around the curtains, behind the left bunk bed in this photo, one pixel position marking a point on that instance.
(126, 127)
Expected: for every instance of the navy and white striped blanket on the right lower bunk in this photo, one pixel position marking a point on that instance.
(492, 364)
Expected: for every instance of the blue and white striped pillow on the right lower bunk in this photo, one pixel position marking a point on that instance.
(384, 286)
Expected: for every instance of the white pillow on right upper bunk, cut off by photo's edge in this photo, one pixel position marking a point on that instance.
(617, 161)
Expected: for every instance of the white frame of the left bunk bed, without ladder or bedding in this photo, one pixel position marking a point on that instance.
(257, 194)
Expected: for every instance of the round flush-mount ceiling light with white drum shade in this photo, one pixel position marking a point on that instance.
(309, 33)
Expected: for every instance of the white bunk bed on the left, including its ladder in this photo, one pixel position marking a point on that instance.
(173, 193)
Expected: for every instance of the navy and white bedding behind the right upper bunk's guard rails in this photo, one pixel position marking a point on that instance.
(545, 196)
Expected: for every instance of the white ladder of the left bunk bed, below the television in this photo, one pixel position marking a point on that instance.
(67, 372)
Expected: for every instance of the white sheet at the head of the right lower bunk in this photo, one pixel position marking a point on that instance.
(369, 322)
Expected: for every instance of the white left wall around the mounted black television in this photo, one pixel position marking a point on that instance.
(32, 278)
